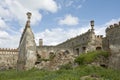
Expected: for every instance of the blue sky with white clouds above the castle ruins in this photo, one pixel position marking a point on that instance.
(55, 21)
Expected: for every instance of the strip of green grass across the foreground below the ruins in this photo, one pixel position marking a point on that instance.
(63, 74)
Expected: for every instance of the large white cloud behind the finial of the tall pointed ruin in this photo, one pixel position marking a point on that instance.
(16, 9)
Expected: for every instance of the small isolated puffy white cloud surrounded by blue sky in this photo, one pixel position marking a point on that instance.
(69, 20)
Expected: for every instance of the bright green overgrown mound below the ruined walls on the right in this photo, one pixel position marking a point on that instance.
(86, 58)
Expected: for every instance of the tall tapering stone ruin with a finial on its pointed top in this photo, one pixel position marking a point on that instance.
(27, 48)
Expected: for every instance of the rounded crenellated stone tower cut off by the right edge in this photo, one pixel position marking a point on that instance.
(112, 41)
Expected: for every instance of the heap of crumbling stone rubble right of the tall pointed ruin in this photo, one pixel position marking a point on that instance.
(62, 57)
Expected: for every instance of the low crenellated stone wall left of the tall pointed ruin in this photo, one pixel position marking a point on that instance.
(8, 58)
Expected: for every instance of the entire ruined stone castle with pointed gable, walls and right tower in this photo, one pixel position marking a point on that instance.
(27, 55)
